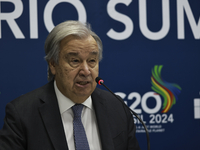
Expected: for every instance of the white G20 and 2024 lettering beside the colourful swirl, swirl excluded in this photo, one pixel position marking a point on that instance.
(154, 116)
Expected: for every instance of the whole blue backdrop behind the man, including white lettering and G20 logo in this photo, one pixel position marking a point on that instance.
(151, 58)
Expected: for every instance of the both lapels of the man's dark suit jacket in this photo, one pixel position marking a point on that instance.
(51, 117)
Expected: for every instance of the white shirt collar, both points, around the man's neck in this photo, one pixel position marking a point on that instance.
(65, 103)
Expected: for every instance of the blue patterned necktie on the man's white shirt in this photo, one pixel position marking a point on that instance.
(80, 138)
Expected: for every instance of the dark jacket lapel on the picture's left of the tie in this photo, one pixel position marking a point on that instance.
(50, 114)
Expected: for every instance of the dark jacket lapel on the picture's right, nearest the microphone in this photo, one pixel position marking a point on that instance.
(102, 120)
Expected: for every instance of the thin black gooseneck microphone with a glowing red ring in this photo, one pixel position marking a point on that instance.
(101, 82)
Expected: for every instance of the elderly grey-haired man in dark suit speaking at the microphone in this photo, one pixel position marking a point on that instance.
(69, 112)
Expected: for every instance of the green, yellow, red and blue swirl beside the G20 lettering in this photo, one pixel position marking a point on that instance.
(169, 91)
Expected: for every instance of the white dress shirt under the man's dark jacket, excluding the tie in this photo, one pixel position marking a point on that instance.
(88, 119)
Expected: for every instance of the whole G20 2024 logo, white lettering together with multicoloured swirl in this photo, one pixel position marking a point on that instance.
(168, 91)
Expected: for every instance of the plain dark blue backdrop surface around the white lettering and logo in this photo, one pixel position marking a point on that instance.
(126, 66)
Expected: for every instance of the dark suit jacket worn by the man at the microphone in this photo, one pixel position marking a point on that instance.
(33, 122)
